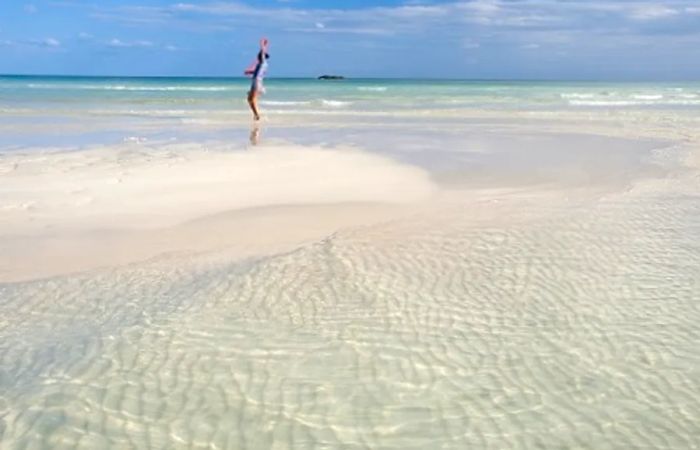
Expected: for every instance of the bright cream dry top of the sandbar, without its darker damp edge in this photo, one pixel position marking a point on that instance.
(135, 186)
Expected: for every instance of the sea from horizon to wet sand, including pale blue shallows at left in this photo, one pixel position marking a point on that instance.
(175, 106)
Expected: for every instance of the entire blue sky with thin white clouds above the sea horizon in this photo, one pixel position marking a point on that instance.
(465, 39)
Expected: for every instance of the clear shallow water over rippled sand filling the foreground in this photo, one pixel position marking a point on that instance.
(571, 330)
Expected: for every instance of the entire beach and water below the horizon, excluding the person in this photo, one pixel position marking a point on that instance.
(376, 264)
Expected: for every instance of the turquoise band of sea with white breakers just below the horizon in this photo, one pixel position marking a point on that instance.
(305, 95)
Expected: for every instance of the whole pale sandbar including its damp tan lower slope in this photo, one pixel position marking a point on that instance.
(69, 211)
